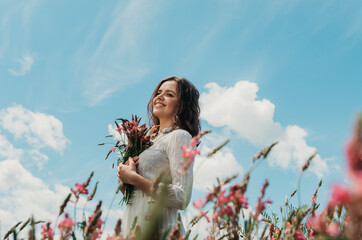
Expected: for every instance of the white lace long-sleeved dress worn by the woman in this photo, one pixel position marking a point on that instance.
(165, 153)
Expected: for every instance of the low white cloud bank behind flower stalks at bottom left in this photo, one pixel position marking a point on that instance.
(23, 195)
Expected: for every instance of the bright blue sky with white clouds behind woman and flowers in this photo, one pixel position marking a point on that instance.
(266, 70)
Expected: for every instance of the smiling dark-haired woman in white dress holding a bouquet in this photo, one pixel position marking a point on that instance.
(174, 107)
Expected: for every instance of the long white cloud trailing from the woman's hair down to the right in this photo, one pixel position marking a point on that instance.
(238, 108)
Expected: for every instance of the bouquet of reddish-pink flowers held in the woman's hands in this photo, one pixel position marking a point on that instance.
(135, 138)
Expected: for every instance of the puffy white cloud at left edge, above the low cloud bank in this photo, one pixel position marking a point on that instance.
(38, 129)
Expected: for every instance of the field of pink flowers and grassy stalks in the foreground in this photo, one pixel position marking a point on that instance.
(227, 203)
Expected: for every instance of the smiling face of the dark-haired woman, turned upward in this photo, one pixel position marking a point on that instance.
(166, 101)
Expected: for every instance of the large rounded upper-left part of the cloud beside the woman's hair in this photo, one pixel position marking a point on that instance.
(238, 109)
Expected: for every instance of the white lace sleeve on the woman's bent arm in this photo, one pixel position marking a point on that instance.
(179, 191)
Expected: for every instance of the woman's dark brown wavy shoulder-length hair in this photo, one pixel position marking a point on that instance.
(187, 116)
